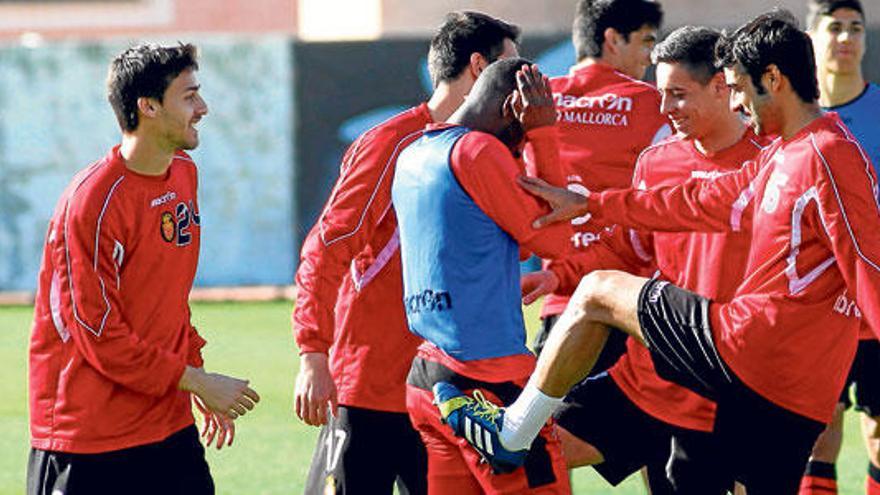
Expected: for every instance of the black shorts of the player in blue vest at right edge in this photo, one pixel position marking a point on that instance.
(864, 379)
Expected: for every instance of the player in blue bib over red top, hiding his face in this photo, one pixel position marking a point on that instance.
(463, 221)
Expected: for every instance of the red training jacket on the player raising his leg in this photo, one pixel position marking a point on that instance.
(791, 329)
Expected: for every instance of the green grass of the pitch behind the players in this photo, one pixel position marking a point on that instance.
(272, 448)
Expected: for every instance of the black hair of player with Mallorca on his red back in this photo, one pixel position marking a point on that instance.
(593, 17)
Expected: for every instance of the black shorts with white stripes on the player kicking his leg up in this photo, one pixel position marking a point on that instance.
(762, 445)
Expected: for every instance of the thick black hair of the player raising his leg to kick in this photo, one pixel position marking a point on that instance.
(772, 38)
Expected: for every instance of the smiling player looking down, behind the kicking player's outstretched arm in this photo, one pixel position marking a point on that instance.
(625, 419)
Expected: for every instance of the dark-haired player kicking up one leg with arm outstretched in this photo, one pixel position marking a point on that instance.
(775, 357)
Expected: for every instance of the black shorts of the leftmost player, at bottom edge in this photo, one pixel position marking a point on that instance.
(174, 466)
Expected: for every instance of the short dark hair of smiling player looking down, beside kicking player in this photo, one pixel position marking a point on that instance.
(693, 48)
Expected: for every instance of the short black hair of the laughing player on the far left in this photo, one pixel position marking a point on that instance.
(145, 71)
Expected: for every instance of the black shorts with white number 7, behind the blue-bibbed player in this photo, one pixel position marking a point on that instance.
(367, 451)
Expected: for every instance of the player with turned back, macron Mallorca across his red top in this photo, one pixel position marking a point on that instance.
(606, 117)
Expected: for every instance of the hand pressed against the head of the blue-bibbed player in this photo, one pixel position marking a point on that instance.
(532, 100)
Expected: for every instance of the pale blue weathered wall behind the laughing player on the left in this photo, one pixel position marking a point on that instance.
(54, 120)
